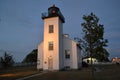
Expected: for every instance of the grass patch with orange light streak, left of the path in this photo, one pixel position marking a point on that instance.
(17, 72)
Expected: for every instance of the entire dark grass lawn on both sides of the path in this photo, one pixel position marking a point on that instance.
(106, 72)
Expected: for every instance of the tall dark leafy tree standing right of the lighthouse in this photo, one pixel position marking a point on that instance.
(93, 37)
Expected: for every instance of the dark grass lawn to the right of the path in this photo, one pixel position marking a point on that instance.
(106, 72)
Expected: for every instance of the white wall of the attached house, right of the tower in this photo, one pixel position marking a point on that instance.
(74, 53)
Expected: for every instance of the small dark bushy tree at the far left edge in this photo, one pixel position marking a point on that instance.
(6, 60)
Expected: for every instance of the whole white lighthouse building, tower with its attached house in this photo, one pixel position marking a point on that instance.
(56, 51)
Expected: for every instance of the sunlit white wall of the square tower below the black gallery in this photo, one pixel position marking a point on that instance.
(57, 41)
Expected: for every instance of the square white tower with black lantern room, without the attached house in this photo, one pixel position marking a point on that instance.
(53, 31)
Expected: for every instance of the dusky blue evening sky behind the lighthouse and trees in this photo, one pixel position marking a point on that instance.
(21, 26)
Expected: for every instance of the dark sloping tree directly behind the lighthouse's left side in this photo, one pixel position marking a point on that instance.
(31, 57)
